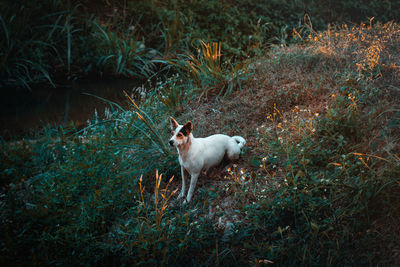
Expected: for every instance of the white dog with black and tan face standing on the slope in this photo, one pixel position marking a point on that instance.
(197, 155)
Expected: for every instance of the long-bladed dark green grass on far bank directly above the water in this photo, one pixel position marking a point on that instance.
(66, 44)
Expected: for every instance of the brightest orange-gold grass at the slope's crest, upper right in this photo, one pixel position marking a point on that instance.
(372, 49)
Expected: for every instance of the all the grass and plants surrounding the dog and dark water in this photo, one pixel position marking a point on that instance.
(317, 183)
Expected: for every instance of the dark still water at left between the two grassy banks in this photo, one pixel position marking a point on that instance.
(27, 111)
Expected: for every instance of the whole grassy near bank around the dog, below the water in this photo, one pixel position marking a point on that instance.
(317, 183)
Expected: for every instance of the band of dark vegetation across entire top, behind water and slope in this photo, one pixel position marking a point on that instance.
(52, 41)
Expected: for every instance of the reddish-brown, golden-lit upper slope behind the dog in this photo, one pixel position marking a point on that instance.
(305, 76)
